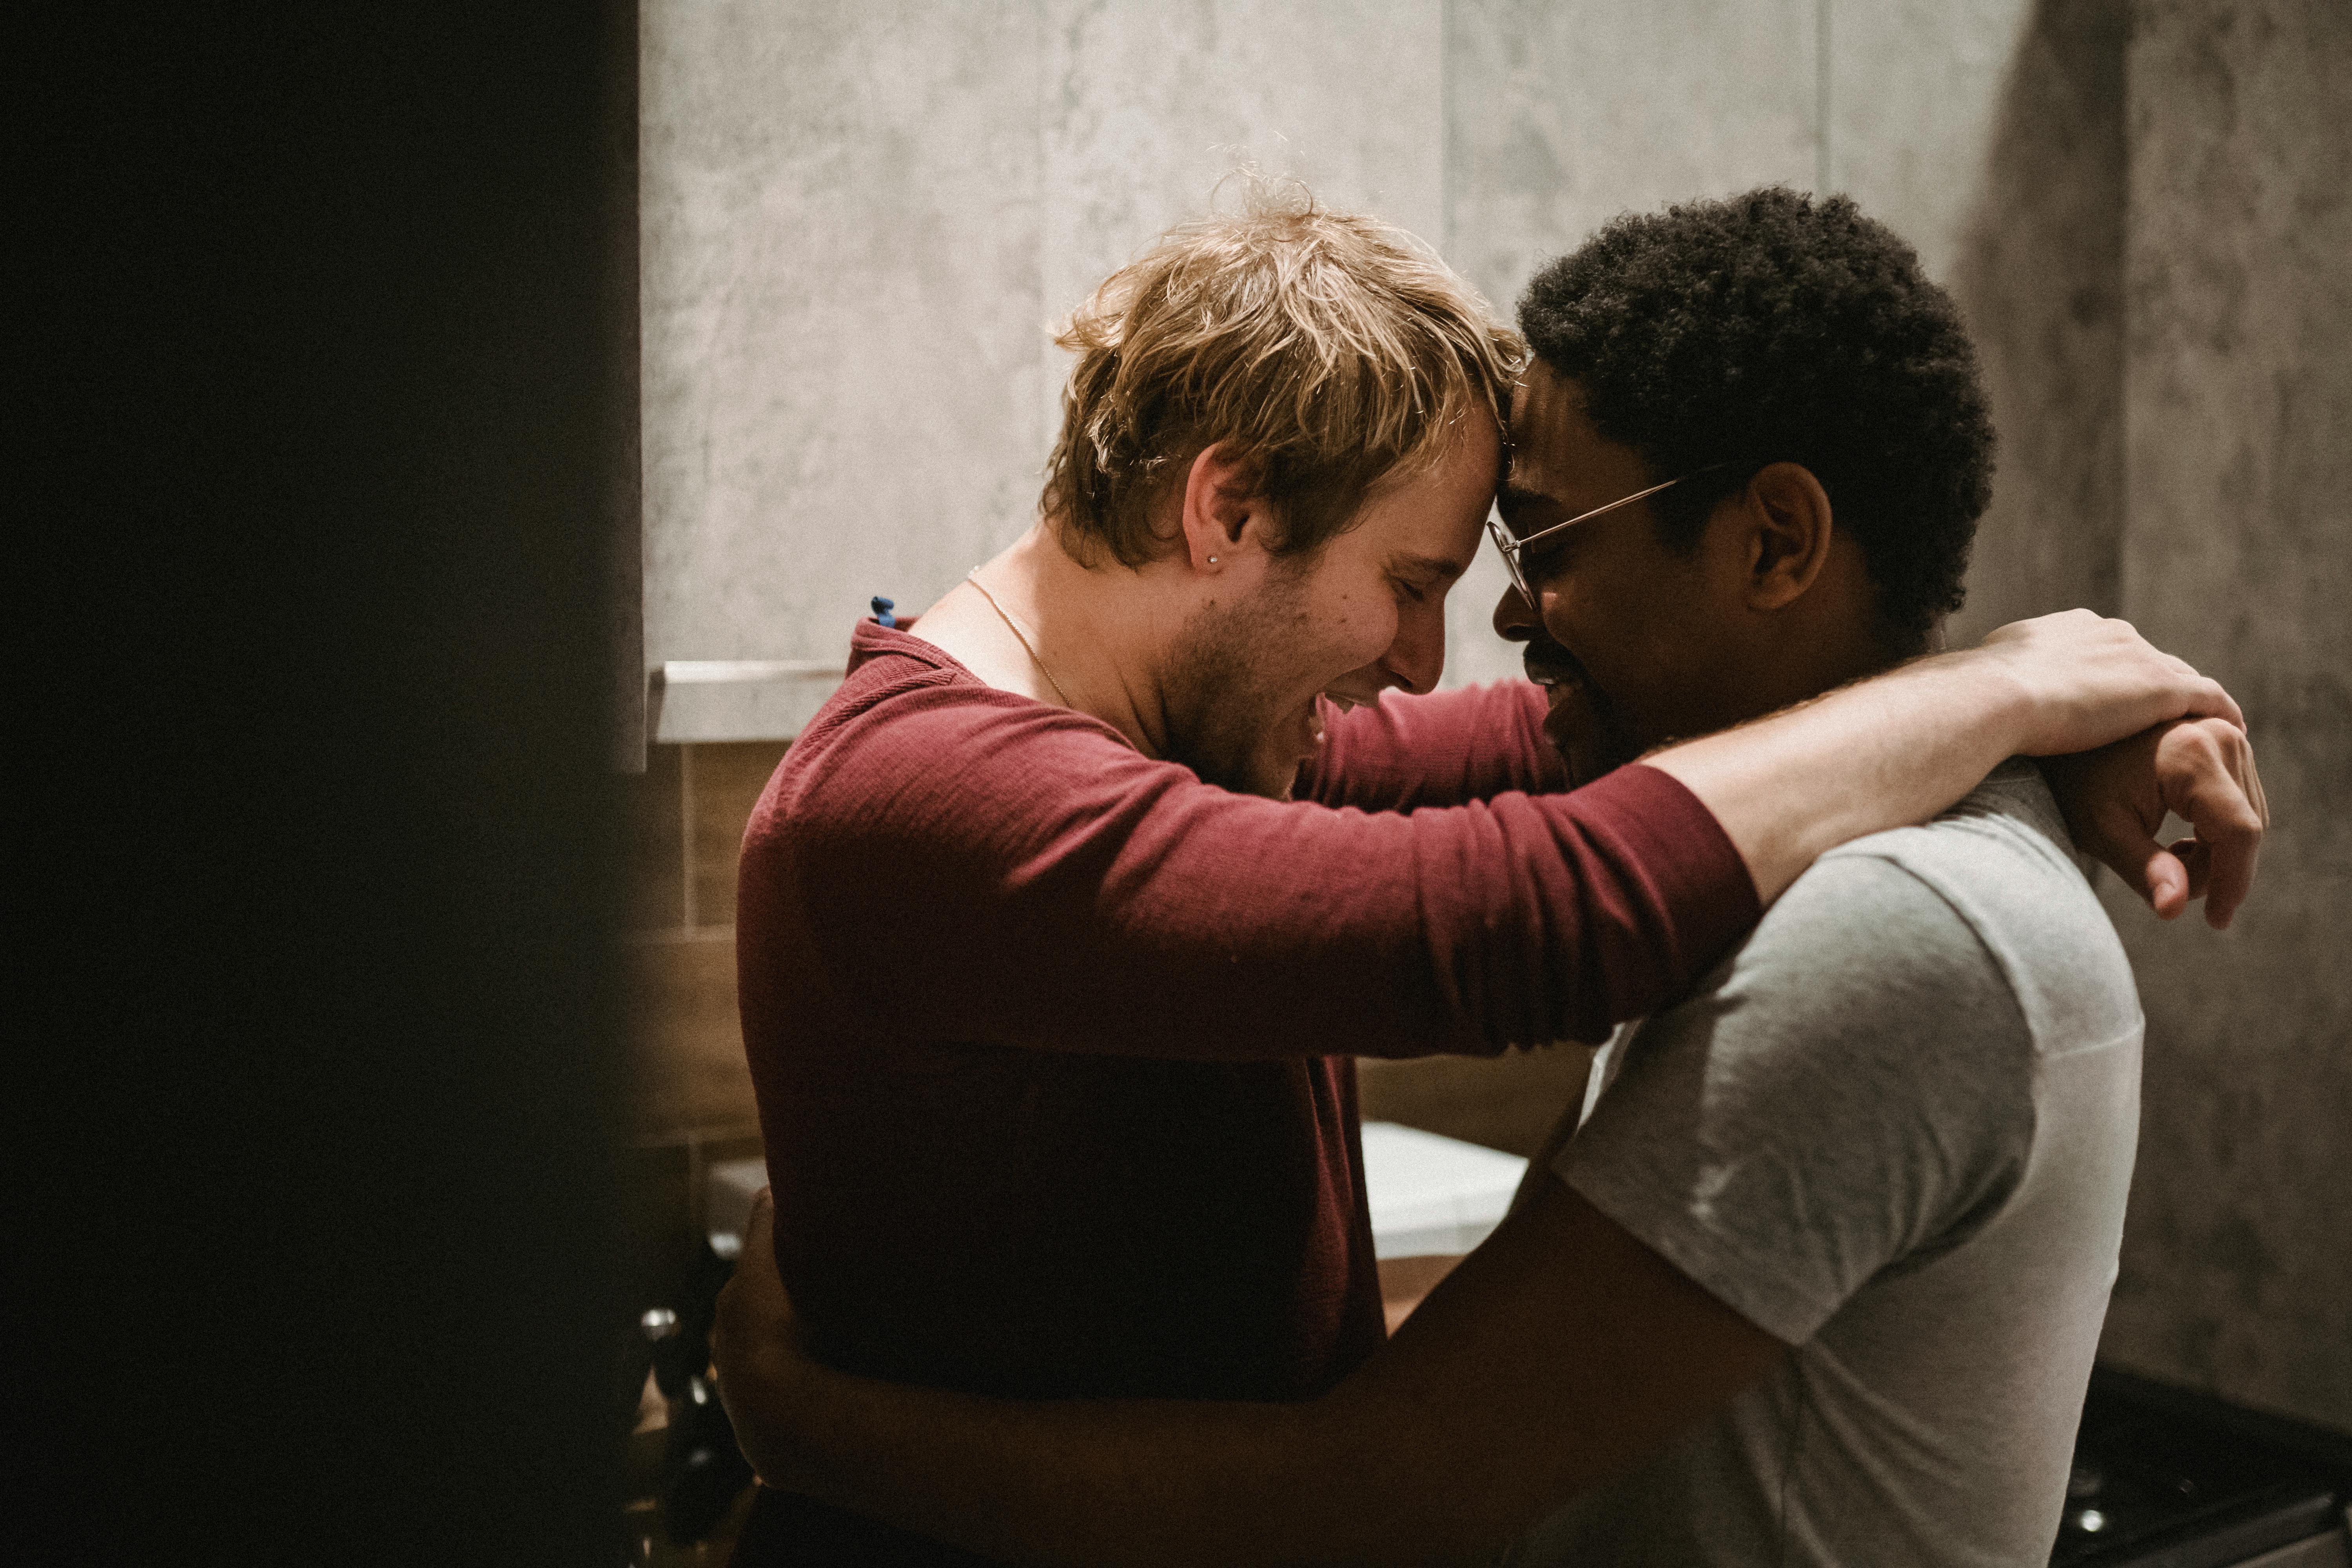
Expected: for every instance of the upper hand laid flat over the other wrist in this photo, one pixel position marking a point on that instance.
(2090, 681)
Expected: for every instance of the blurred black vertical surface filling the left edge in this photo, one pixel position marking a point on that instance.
(328, 354)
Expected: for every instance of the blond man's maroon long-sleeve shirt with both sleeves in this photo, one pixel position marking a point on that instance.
(1055, 1043)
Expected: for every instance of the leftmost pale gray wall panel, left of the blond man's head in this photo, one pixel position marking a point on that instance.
(841, 311)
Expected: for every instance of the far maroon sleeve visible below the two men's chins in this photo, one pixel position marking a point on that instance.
(1436, 751)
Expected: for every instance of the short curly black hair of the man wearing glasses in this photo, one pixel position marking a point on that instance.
(1779, 328)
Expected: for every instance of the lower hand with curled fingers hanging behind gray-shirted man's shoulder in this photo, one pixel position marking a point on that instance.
(2118, 796)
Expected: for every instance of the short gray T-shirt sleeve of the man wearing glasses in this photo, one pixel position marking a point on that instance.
(1845, 1094)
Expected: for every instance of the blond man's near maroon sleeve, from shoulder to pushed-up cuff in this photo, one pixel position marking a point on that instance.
(975, 866)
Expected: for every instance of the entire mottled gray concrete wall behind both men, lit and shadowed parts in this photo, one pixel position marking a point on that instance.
(860, 225)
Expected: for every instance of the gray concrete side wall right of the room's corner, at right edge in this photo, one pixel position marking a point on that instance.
(2238, 554)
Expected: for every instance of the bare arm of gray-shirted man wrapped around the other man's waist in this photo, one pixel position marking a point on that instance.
(1553, 1360)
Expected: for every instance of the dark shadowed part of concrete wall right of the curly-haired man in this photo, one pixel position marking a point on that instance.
(2160, 279)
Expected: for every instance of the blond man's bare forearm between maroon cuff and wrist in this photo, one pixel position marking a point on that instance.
(1883, 753)
